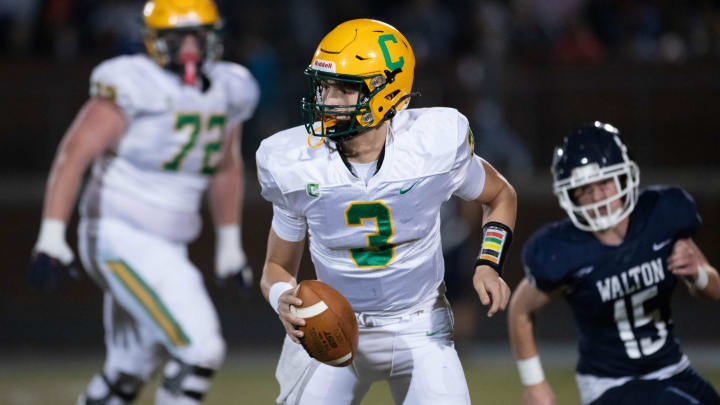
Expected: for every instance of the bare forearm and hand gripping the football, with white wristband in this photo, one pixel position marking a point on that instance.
(279, 283)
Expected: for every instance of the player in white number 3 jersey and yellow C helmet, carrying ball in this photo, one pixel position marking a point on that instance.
(366, 179)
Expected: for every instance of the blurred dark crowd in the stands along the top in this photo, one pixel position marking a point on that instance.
(565, 31)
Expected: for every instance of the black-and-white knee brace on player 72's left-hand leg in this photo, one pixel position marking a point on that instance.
(103, 390)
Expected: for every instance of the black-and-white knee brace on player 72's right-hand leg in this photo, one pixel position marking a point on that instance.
(183, 383)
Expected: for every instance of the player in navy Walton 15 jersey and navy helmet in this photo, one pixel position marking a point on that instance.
(616, 260)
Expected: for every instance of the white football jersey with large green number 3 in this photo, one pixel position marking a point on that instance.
(377, 243)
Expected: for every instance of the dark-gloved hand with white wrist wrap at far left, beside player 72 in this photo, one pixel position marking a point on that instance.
(52, 259)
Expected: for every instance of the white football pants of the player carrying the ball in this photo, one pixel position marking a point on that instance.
(414, 352)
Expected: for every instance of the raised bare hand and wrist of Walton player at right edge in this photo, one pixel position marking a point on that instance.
(688, 261)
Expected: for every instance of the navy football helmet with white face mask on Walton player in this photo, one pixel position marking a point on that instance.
(593, 153)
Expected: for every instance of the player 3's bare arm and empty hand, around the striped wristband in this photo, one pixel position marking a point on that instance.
(500, 205)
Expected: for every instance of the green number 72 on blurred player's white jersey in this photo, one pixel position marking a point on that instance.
(194, 121)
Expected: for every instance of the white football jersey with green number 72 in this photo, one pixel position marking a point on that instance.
(155, 176)
